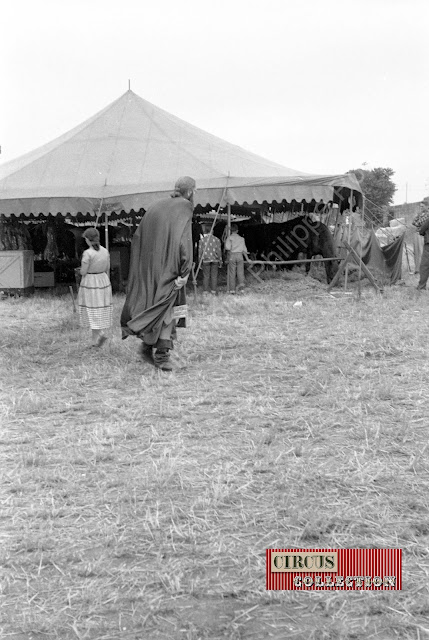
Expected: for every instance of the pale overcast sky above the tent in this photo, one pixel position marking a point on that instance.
(322, 86)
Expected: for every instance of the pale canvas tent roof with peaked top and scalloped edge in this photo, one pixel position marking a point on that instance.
(130, 154)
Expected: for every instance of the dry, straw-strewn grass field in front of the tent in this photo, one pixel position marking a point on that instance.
(138, 504)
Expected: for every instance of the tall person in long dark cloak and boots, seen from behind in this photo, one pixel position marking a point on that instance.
(161, 261)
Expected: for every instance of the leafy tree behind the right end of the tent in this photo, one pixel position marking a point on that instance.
(378, 188)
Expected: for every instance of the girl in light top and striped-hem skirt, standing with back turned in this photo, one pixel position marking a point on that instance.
(95, 291)
